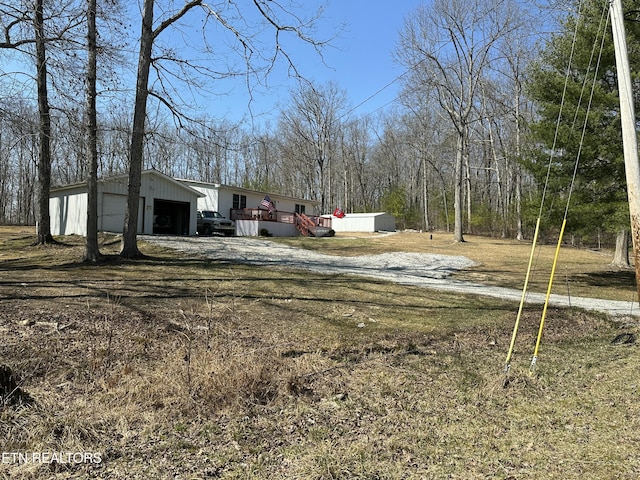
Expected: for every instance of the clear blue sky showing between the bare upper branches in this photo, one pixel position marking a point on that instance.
(359, 60)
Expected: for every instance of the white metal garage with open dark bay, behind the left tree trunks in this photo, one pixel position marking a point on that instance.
(166, 206)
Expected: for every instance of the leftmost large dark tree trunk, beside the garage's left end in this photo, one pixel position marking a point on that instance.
(44, 153)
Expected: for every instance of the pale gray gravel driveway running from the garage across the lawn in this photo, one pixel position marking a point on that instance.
(417, 269)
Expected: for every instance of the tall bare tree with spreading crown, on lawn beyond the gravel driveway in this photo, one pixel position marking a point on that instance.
(450, 45)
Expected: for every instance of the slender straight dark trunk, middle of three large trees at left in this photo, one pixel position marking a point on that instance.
(91, 247)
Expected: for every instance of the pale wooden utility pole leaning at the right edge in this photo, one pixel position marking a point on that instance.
(629, 135)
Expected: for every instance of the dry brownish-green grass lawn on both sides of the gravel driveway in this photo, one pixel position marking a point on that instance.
(184, 368)
